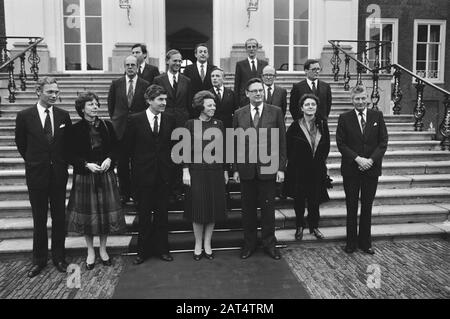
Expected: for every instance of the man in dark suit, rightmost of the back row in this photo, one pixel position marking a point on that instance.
(246, 70)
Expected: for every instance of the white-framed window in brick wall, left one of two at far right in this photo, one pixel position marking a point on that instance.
(383, 30)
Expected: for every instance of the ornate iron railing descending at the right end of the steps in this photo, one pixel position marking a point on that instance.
(421, 83)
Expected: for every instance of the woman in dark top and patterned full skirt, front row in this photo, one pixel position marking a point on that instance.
(94, 207)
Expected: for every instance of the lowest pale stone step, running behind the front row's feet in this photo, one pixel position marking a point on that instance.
(121, 244)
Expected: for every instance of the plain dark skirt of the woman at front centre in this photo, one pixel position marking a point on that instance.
(206, 198)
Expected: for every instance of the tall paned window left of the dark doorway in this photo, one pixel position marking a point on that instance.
(83, 48)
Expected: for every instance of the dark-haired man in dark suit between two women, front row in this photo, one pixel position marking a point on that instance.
(149, 144)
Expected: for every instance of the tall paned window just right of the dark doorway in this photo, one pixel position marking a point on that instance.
(291, 28)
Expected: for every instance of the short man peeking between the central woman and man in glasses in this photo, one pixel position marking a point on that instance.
(225, 99)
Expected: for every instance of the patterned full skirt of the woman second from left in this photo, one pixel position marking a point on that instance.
(94, 206)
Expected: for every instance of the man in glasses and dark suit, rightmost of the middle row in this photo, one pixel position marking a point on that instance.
(311, 85)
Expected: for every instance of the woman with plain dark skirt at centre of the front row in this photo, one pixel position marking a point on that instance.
(205, 197)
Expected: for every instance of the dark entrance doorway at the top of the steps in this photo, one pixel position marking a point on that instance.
(187, 24)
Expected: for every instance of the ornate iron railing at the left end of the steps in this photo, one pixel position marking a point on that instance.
(7, 63)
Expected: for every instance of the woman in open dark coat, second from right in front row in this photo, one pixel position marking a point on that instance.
(308, 145)
